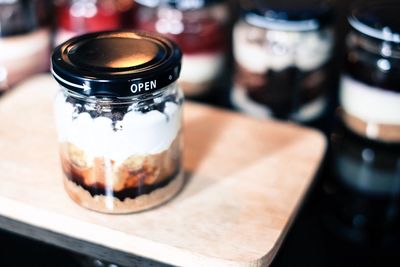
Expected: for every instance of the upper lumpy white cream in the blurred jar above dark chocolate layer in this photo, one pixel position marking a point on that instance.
(259, 50)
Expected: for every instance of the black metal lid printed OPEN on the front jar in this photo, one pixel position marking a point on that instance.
(116, 63)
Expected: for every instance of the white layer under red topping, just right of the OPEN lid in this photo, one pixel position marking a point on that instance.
(202, 68)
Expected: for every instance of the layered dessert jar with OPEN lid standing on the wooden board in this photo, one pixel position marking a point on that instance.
(119, 115)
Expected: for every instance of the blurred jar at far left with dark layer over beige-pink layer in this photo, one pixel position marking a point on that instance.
(24, 41)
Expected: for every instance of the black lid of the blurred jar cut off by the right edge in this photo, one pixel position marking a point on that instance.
(378, 19)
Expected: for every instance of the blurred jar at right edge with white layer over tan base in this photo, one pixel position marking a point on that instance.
(370, 86)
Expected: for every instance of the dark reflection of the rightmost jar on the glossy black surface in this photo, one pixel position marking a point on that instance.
(363, 194)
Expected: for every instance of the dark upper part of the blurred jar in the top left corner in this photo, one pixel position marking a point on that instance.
(17, 17)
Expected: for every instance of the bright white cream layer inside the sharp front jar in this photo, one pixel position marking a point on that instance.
(138, 134)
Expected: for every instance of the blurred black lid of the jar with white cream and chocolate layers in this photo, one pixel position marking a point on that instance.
(289, 15)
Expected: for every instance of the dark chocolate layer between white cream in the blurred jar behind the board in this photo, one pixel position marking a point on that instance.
(286, 90)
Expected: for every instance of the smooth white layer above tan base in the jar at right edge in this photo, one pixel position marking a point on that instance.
(370, 104)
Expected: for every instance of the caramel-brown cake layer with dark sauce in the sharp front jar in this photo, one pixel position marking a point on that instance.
(136, 176)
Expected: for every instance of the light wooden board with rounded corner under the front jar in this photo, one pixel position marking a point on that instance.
(245, 181)
